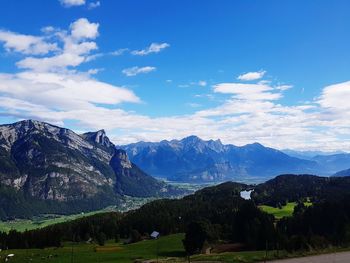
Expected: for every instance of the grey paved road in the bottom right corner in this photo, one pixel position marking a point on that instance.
(341, 257)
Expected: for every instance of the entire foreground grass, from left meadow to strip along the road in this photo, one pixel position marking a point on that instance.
(169, 249)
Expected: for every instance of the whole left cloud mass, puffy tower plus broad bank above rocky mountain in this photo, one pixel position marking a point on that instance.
(48, 90)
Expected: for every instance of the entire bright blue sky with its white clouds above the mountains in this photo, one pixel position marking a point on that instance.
(153, 70)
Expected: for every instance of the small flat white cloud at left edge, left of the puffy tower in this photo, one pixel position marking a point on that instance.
(26, 44)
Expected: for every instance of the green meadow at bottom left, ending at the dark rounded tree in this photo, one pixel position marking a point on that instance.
(168, 246)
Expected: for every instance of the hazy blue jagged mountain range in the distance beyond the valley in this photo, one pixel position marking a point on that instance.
(193, 159)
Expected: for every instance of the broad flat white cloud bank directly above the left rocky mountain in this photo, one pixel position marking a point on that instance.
(58, 97)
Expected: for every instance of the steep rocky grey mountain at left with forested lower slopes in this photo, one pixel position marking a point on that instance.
(67, 171)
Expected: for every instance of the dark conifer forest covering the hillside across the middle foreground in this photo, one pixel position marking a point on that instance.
(218, 215)
